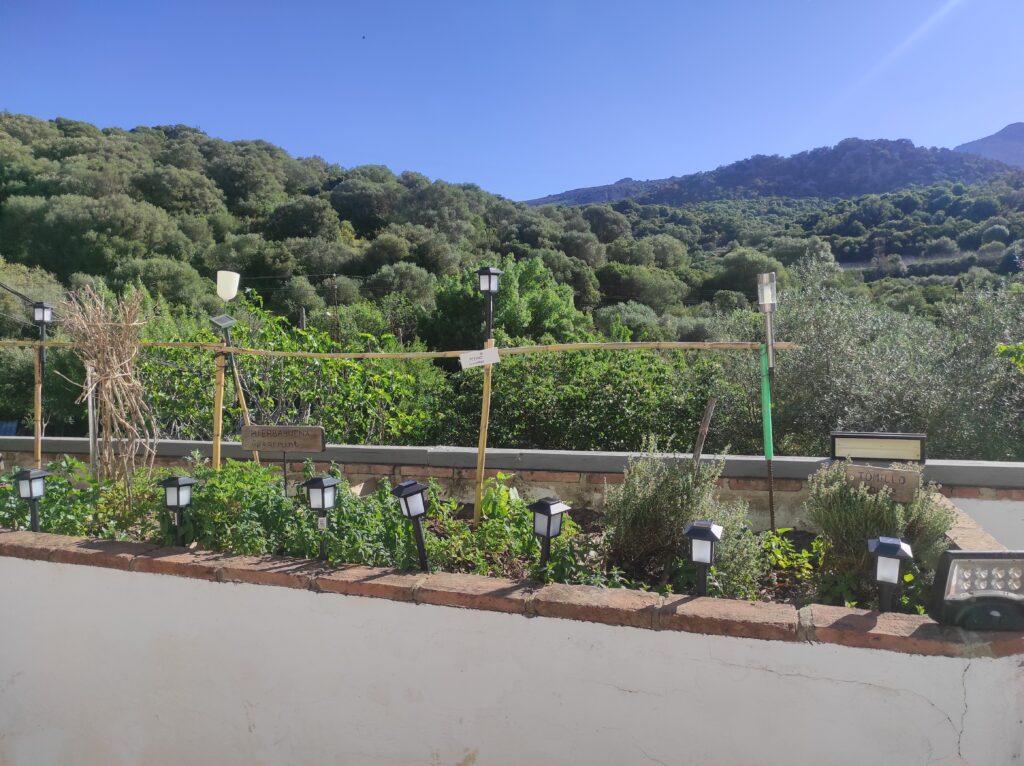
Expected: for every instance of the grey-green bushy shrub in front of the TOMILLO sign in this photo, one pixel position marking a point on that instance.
(849, 517)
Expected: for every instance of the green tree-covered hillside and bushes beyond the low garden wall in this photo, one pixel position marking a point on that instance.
(899, 300)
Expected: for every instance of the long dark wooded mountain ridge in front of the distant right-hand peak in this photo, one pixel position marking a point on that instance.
(851, 168)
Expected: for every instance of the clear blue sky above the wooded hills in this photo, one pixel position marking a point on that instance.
(525, 99)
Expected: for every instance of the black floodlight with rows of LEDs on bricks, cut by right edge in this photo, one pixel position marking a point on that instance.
(980, 590)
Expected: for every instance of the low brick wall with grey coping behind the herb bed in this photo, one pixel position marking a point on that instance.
(581, 479)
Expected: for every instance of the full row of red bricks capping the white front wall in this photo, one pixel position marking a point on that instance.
(817, 624)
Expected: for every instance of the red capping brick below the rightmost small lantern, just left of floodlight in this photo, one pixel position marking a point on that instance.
(912, 634)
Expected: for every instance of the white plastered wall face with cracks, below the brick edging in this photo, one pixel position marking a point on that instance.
(104, 667)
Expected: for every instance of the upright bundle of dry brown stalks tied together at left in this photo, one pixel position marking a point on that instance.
(108, 341)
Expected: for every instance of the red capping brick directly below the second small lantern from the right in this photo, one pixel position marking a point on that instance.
(726, 617)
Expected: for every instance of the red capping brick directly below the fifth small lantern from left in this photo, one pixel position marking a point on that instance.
(609, 606)
